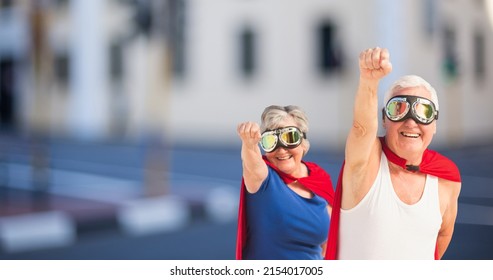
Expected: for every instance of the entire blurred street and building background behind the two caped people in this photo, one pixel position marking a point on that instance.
(118, 117)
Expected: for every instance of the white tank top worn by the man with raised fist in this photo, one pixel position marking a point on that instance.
(382, 227)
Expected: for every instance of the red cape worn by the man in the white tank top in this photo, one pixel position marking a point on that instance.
(432, 163)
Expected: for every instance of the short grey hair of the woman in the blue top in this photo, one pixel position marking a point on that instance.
(274, 114)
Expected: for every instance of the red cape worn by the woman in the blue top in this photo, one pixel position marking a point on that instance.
(318, 181)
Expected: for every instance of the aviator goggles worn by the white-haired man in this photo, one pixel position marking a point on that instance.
(403, 107)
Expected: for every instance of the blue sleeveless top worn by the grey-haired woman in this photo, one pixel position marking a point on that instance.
(284, 225)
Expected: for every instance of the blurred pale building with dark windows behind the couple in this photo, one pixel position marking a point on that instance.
(190, 70)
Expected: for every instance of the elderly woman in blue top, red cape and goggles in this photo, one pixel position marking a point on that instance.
(285, 202)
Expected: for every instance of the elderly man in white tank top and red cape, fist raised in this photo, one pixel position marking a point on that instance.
(395, 198)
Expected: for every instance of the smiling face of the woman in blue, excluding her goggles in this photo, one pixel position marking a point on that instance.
(288, 160)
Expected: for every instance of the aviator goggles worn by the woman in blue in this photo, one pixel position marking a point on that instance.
(288, 137)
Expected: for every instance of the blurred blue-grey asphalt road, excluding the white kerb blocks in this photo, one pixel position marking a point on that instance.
(194, 171)
